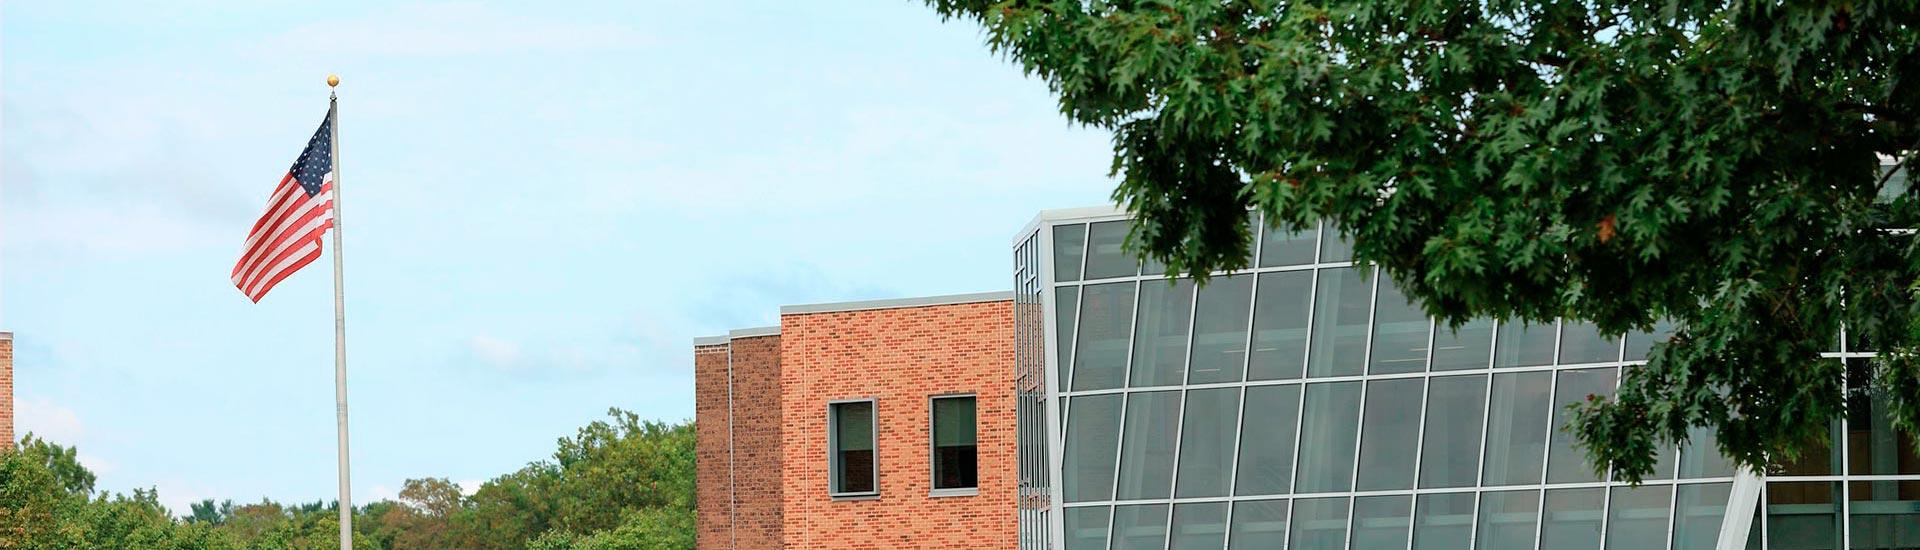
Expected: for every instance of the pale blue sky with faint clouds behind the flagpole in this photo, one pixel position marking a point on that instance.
(542, 207)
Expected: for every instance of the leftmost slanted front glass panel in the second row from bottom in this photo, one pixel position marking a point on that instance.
(1093, 437)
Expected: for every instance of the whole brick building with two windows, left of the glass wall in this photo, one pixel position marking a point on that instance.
(861, 426)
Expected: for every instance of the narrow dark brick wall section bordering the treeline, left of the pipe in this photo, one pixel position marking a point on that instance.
(713, 516)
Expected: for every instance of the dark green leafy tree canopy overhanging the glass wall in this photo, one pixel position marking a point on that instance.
(1717, 164)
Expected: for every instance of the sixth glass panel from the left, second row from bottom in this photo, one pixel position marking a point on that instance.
(1391, 434)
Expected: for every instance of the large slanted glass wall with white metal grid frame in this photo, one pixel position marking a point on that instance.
(1178, 449)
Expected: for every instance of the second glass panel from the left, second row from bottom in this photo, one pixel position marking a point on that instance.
(1147, 445)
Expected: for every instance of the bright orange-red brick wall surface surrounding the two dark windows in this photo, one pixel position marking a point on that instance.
(900, 357)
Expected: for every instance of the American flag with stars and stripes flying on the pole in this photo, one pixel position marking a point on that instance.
(300, 211)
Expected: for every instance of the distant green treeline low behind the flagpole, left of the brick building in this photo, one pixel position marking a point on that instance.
(617, 484)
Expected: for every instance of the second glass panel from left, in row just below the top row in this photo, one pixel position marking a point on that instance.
(1161, 334)
